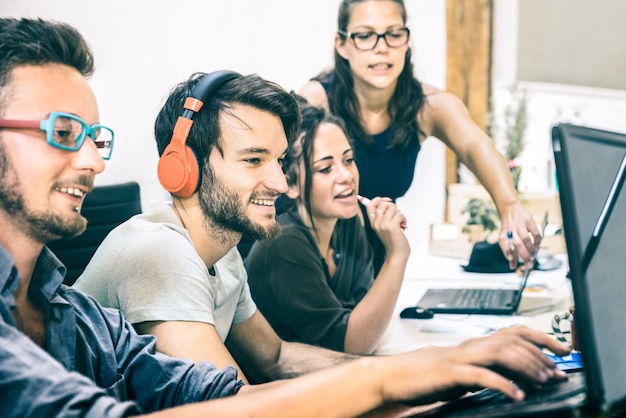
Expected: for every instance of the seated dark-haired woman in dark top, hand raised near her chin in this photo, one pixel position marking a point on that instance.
(315, 282)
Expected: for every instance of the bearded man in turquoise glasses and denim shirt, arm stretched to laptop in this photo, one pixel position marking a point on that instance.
(64, 355)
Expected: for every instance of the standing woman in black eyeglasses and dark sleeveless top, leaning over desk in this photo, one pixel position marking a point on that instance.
(389, 114)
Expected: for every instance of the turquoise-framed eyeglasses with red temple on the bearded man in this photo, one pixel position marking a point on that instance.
(68, 132)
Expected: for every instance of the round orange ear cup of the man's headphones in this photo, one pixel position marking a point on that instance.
(178, 170)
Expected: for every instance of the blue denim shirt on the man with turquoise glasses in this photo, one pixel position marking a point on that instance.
(94, 363)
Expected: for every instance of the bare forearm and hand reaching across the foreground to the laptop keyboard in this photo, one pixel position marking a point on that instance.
(362, 385)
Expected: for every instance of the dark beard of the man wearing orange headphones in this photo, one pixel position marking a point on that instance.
(222, 208)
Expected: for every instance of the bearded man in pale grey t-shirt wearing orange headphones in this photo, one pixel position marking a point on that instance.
(176, 273)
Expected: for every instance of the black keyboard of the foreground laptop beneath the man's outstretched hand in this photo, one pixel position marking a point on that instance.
(493, 403)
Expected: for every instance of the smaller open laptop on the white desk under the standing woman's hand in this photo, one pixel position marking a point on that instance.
(489, 301)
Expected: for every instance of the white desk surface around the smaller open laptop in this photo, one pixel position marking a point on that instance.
(547, 292)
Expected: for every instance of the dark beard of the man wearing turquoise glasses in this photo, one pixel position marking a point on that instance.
(42, 226)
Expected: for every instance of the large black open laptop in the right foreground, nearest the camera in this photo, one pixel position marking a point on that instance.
(591, 167)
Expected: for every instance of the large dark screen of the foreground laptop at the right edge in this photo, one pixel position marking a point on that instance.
(587, 162)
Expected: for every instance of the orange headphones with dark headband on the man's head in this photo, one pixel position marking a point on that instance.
(178, 168)
